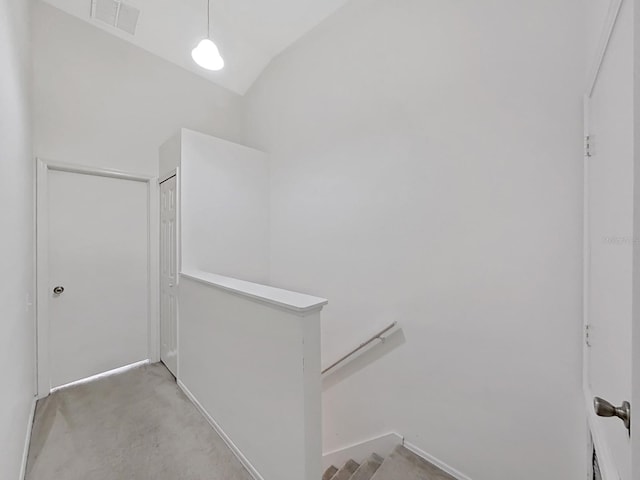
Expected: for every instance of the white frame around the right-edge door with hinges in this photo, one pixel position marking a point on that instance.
(596, 438)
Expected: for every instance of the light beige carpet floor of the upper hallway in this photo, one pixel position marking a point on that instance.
(134, 426)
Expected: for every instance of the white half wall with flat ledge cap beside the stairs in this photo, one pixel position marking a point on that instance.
(254, 367)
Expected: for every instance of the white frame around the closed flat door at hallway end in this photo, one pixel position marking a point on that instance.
(42, 260)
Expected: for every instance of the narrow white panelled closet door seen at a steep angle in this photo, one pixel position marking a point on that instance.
(168, 275)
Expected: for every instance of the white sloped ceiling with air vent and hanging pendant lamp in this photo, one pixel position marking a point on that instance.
(249, 33)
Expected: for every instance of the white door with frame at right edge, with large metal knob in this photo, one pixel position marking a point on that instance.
(609, 235)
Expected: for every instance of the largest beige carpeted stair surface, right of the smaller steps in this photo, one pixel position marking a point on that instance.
(405, 465)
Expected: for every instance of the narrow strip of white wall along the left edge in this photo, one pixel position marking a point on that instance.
(17, 332)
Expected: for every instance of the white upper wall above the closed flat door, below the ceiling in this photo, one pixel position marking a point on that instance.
(102, 101)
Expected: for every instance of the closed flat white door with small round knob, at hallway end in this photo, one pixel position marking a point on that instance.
(98, 253)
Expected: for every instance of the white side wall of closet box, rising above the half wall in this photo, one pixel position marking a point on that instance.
(224, 207)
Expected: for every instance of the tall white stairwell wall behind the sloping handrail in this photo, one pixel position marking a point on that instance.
(426, 168)
